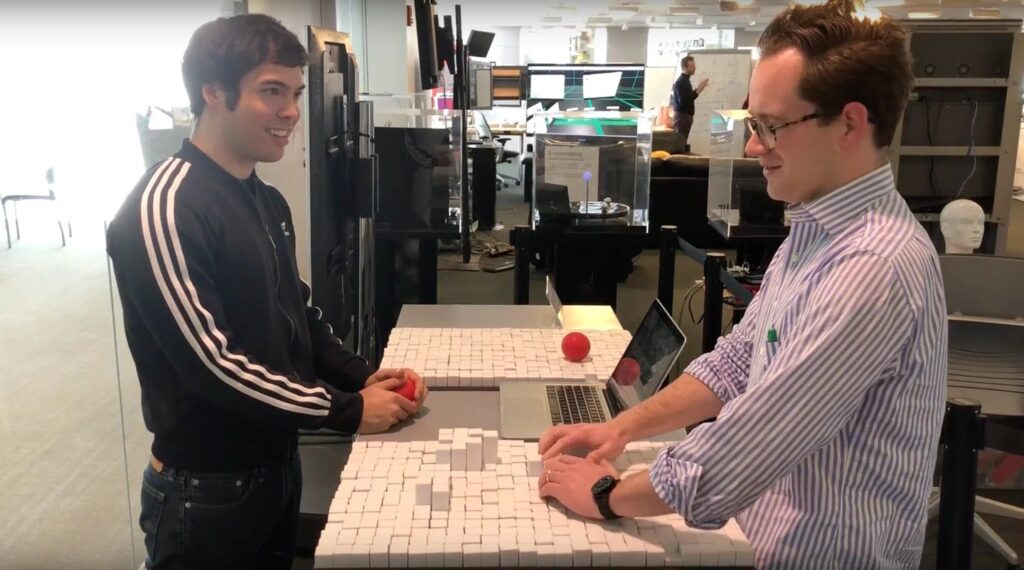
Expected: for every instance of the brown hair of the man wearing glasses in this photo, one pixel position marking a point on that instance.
(847, 60)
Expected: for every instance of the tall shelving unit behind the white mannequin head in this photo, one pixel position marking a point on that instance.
(958, 139)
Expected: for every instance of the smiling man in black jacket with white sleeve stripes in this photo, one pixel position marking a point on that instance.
(231, 359)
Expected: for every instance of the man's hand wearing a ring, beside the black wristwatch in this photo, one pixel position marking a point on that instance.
(570, 479)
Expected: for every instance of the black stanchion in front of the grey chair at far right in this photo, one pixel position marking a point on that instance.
(963, 436)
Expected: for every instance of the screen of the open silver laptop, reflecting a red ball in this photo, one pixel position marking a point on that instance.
(649, 359)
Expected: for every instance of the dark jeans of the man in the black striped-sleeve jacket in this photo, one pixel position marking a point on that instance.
(222, 520)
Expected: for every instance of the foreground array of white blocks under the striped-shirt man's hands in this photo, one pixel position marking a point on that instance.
(437, 516)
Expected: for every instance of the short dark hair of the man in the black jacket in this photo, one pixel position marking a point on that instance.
(224, 51)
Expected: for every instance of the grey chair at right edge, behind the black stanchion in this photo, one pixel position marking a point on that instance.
(987, 331)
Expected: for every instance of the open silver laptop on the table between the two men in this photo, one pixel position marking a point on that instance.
(530, 409)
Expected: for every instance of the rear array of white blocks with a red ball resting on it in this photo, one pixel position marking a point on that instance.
(486, 358)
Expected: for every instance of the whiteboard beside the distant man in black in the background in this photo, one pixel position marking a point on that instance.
(730, 72)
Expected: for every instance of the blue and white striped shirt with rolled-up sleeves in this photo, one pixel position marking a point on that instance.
(826, 446)
